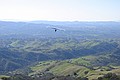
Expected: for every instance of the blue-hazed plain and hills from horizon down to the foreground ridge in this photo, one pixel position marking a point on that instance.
(24, 43)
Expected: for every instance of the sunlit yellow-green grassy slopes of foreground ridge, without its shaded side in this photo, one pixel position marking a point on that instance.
(69, 67)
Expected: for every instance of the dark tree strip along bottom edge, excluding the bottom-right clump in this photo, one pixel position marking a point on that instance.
(47, 76)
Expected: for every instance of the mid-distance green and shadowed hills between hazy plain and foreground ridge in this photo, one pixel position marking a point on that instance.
(17, 53)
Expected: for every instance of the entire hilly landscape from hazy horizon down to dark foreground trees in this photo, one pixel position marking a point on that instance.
(87, 49)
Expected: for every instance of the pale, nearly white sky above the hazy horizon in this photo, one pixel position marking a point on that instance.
(60, 10)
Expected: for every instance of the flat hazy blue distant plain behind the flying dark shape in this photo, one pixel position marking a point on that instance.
(80, 30)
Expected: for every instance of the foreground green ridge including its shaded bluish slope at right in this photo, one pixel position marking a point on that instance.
(91, 67)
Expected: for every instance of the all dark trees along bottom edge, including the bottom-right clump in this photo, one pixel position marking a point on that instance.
(50, 76)
